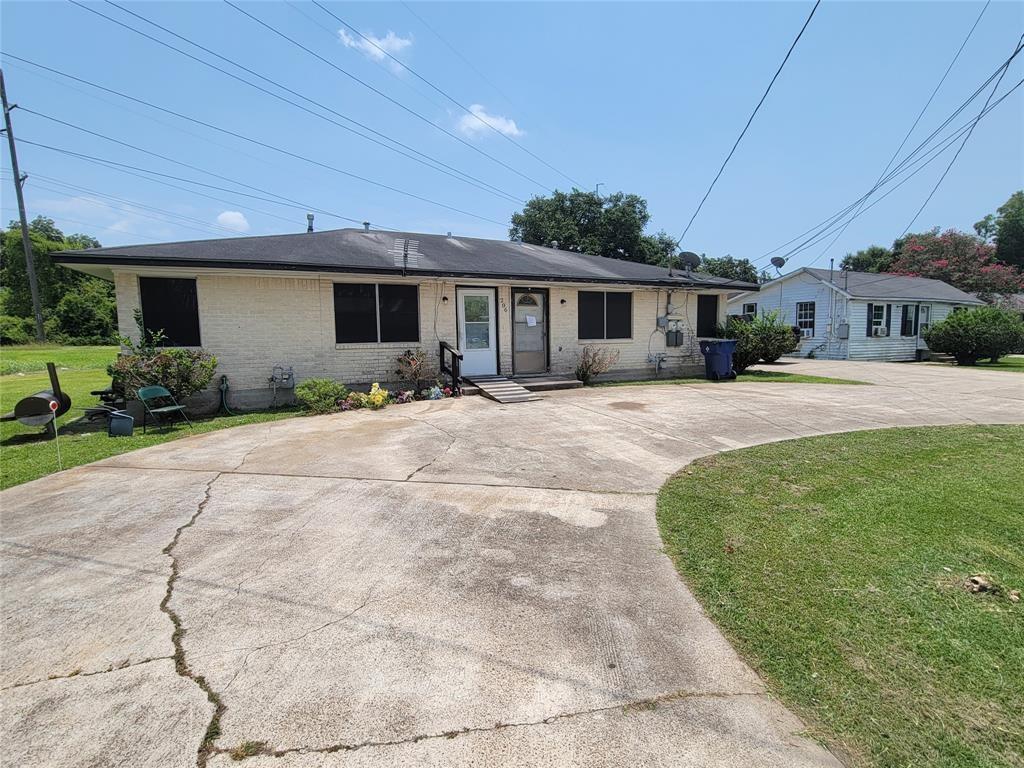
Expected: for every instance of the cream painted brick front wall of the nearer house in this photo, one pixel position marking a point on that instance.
(252, 323)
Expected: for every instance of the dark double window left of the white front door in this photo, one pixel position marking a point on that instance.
(371, 313)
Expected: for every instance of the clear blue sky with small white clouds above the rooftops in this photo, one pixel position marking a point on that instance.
(644, 98)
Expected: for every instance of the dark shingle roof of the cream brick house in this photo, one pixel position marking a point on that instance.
(372, 252)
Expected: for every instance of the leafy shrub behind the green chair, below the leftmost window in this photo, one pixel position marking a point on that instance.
(183, 372)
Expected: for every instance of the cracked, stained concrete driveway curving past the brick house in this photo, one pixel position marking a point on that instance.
(452, 583)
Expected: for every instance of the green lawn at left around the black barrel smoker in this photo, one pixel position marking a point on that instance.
(25, 457)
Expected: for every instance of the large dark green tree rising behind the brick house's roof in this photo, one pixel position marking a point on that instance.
(610, 226)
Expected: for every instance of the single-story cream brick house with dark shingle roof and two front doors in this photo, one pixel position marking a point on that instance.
(347, 304)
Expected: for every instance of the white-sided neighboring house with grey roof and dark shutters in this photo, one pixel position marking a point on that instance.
(857, 316)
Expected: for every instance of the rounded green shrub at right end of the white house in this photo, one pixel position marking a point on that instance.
(976, 334)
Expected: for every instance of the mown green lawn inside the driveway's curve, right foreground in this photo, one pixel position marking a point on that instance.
(837, 567)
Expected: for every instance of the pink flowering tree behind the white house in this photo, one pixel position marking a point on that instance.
(960, 260)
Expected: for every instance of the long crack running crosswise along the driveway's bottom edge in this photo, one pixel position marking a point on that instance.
(643, 705)
